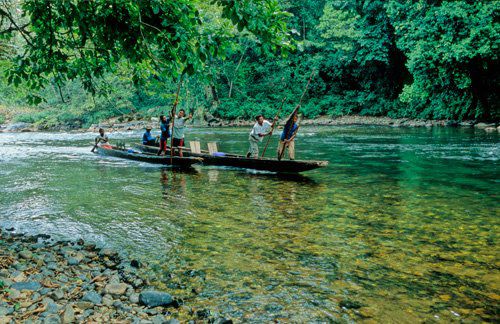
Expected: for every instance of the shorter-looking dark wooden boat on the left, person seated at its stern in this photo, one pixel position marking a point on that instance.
(175, 161)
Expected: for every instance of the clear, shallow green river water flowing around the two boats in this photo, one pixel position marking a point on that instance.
(402, 226)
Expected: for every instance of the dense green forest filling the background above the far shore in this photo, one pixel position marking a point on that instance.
(66, 62)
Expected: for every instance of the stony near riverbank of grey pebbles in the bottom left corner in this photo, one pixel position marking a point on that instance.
(42, 279)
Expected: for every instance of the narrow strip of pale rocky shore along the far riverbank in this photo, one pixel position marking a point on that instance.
(128, 123)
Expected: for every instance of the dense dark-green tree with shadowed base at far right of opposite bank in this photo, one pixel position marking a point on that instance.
(452, 51)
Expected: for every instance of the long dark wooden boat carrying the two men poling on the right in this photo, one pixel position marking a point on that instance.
(241, 161)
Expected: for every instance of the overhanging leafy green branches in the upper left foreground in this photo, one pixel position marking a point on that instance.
(83, 39)
